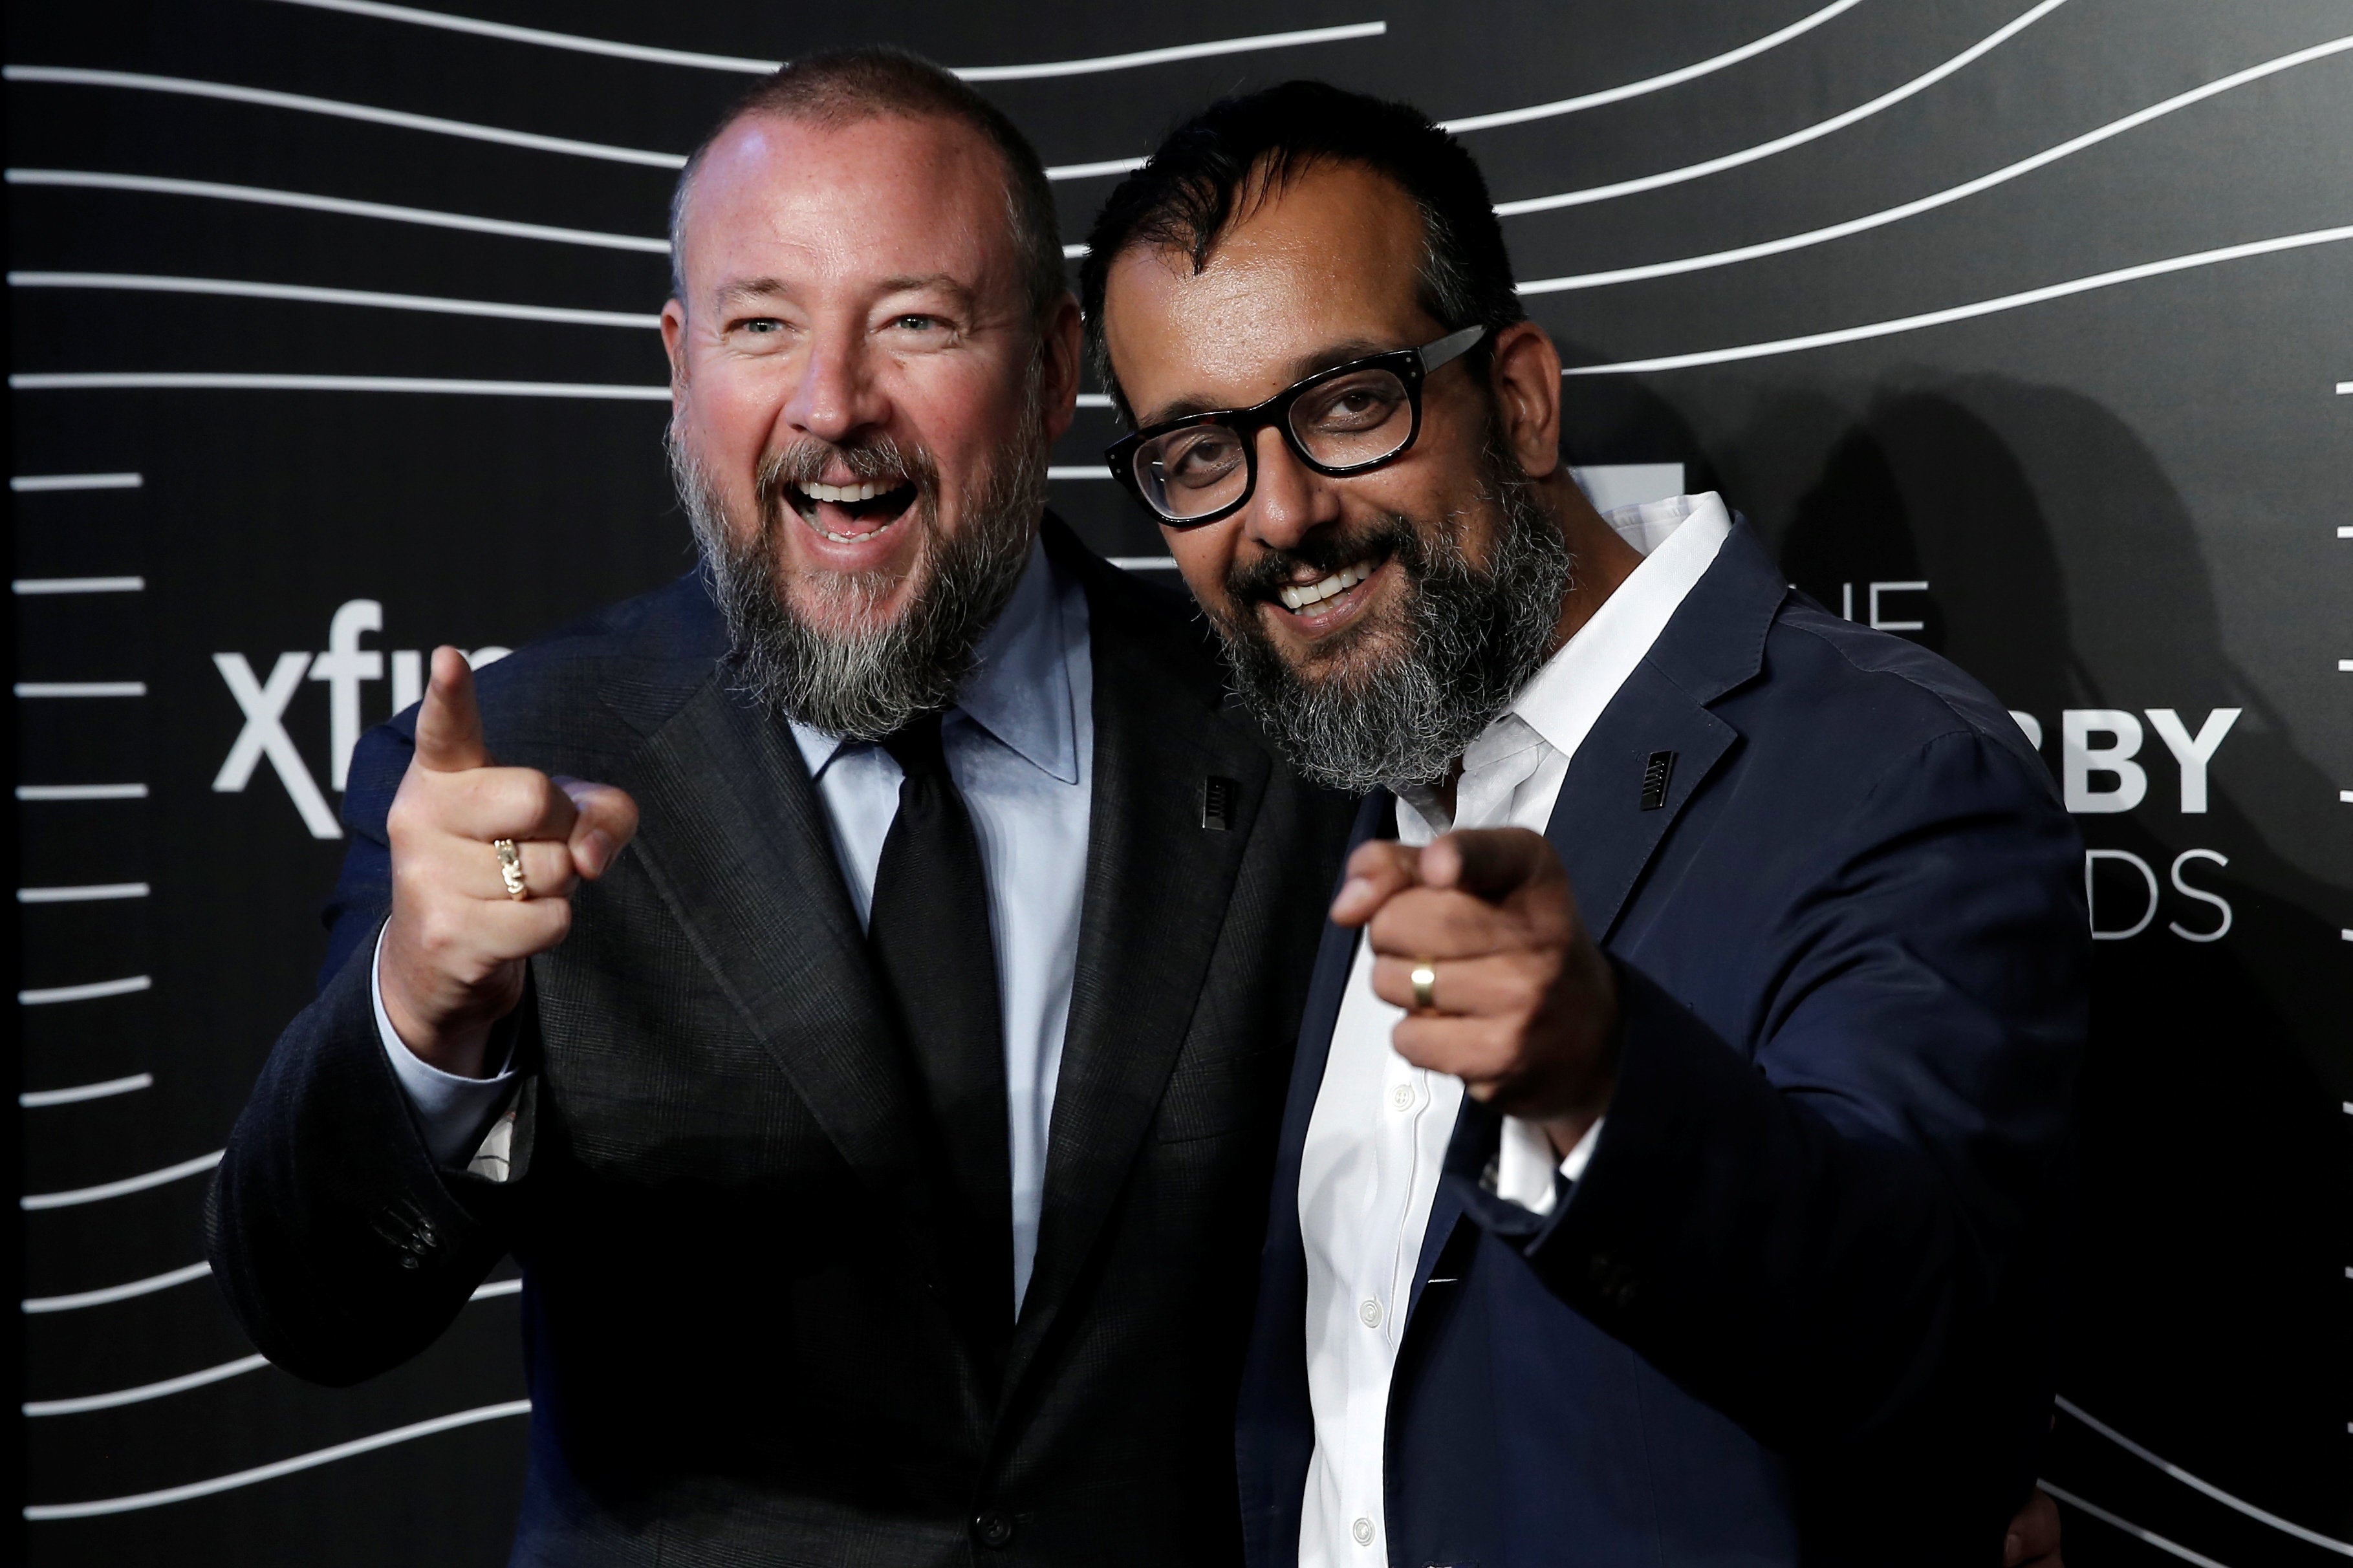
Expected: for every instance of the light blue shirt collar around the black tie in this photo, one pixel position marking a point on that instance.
(1020, 685)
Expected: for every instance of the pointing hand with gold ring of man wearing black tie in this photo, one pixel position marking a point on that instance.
(455, 946)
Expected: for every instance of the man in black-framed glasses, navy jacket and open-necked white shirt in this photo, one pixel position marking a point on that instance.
(1674, 1162)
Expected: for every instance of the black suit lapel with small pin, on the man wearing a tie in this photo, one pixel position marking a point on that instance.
(1156, 897)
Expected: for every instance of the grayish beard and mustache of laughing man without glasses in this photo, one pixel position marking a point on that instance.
(869, 681)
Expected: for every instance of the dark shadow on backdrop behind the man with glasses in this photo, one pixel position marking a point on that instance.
(2206, 1311)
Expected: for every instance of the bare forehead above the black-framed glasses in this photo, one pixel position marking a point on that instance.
(1312, 272)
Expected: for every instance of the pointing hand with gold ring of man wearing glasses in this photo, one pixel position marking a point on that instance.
(1524, 1007)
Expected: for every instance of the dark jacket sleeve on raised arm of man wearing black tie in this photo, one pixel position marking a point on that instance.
(338, 1240)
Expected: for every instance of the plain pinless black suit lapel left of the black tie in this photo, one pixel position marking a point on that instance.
(735, 840)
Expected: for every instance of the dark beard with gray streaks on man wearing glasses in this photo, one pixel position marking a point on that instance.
(1404, 699)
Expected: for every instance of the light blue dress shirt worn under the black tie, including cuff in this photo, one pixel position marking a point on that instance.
(1020, 746)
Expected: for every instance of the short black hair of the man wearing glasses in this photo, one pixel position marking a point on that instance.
(1239, 152)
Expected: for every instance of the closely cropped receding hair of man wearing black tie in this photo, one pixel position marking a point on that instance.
(848, 86)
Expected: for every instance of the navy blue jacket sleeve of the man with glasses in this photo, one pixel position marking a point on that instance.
(1822, 1233)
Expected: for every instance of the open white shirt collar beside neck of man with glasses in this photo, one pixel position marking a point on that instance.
(1679, 542)
